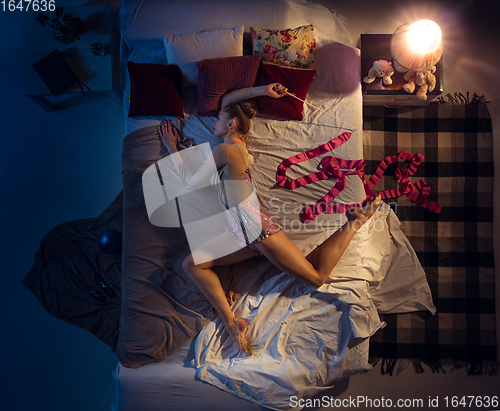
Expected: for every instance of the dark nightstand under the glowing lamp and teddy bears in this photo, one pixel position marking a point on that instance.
(377, 47)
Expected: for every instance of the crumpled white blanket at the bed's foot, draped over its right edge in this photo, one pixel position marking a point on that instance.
(306, 339)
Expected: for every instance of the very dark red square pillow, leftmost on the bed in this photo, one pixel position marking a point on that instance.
(155, 90)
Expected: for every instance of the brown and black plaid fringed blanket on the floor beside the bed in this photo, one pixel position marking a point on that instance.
(454, 247)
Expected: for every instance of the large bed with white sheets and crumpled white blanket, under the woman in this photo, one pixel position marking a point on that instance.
(306, 339)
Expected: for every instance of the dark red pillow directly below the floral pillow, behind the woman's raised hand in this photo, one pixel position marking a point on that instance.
(297, 81)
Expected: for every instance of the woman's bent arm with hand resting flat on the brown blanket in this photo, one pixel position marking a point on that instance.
(168, 135)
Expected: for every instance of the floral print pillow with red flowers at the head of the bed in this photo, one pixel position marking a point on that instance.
(290, 48)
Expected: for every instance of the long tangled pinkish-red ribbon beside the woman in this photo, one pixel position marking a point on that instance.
(337, 168)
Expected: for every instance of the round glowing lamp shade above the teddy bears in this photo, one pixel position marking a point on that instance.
(416, 46)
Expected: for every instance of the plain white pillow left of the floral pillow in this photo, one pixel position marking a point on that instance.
(186, 50)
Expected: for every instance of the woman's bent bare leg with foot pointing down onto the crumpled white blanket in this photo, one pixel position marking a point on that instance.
(209, 284)
